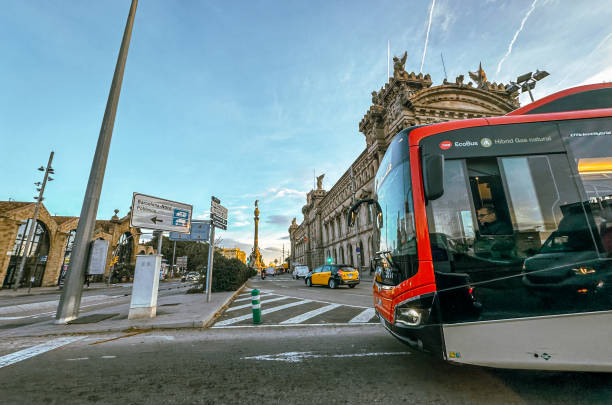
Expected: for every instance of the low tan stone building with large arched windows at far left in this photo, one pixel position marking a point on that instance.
(49, 253)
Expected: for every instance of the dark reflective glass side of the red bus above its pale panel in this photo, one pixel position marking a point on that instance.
(518, 231)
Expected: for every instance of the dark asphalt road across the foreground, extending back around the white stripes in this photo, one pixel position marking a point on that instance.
(313, 362)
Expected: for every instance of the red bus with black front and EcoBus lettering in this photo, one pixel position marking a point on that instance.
(494, 236)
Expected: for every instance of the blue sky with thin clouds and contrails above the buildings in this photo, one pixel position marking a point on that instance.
(243, 100)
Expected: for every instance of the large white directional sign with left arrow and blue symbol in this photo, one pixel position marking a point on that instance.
(160, 214)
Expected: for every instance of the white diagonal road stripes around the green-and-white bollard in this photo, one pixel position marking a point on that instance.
(284, 310)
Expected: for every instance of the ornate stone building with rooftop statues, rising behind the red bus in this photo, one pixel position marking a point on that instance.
(408, 99)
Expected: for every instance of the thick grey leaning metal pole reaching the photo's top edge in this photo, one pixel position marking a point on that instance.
(70, 300)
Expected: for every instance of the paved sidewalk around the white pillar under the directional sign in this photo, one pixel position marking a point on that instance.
(173, 312)
